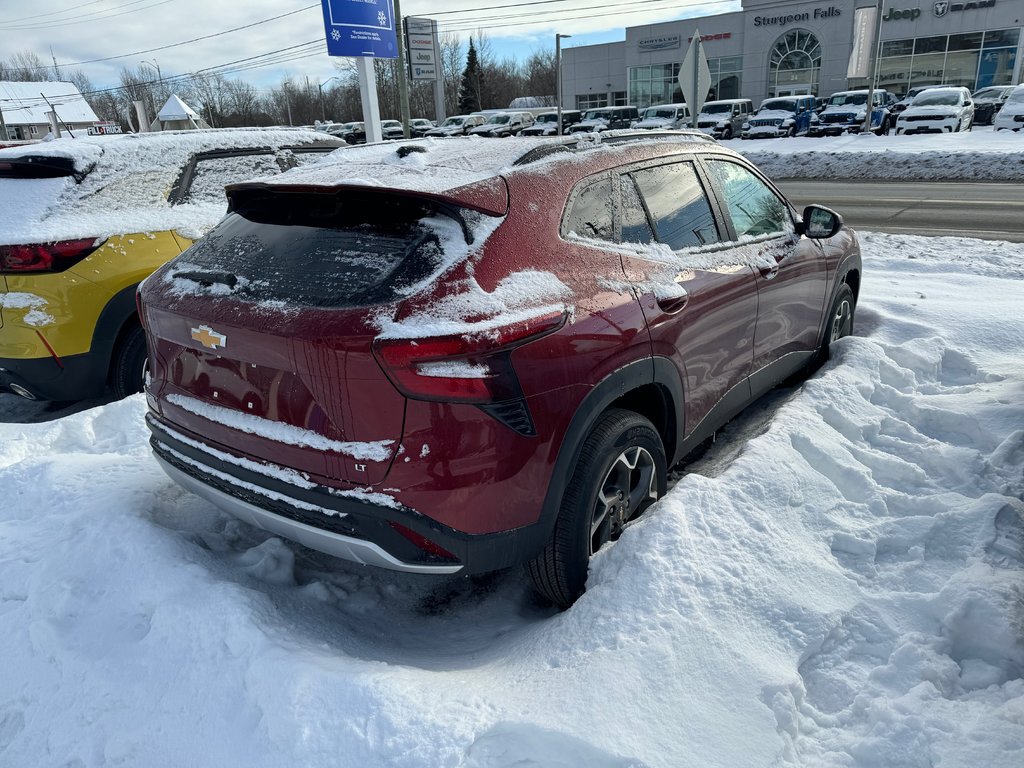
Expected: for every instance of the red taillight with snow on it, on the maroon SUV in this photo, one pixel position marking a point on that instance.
(463, 368)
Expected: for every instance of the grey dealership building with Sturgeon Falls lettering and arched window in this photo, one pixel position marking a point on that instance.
(782, 48)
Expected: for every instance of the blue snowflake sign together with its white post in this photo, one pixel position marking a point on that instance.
(364, 30)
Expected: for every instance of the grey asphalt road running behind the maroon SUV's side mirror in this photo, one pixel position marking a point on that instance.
(989, 211)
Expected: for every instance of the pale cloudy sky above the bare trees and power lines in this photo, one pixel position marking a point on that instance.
(102, 36)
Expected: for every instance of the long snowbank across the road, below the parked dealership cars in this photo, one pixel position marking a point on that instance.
(980, 155)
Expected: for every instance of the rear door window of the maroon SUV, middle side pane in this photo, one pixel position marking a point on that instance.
(678, 205)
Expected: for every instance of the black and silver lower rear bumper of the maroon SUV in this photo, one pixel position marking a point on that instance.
(353, 525)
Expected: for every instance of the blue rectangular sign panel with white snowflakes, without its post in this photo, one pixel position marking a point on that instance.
(360, 28)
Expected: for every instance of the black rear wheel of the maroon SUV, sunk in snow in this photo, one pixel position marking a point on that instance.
(586, 522)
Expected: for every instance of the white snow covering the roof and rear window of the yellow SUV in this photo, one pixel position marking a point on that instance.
(123, 184)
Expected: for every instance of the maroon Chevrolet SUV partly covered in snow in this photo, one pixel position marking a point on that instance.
(456, 357)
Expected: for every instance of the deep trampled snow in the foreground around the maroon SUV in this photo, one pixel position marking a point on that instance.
(838, 582)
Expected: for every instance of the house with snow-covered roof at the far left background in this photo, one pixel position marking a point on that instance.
(24, 108)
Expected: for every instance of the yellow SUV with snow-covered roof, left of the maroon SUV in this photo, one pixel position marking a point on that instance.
(87, 221)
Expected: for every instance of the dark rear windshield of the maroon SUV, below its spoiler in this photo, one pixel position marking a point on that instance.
(318, 250)
